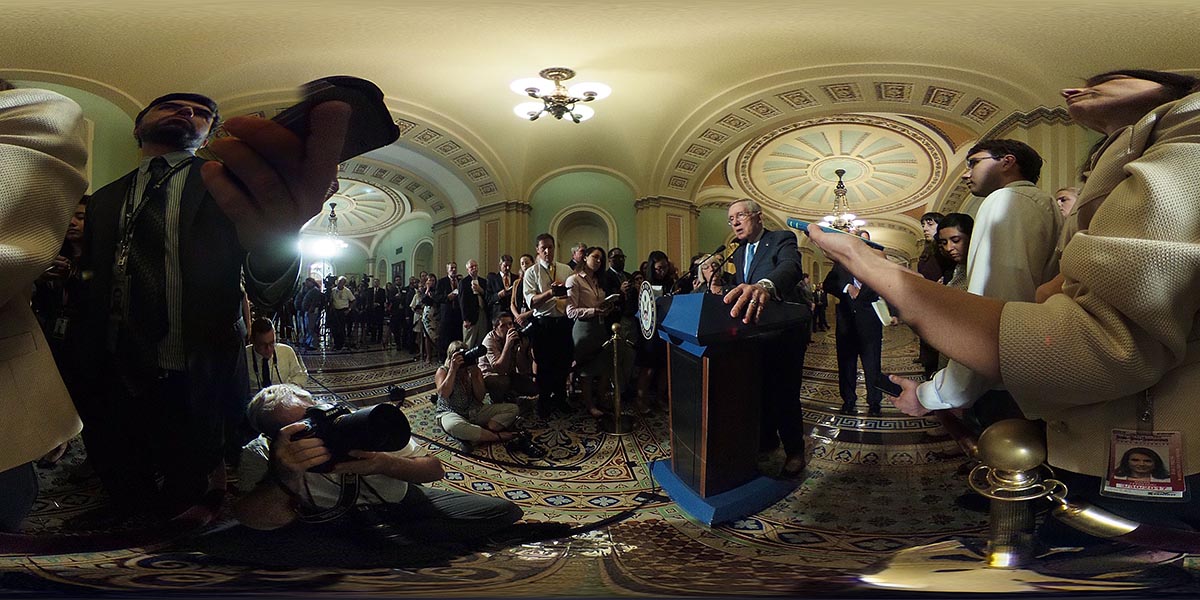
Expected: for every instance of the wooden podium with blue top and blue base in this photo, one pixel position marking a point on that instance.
(716, 382)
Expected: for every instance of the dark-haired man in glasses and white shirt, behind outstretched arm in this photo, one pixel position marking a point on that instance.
(1012, 254)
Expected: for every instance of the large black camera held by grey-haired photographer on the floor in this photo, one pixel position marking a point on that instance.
(379, 429)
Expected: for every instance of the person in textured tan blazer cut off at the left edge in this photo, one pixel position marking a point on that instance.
(43, 158)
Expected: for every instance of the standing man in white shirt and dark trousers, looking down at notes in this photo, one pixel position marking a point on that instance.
(545, 291)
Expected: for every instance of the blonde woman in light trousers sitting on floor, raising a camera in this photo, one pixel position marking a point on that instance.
(461, 410)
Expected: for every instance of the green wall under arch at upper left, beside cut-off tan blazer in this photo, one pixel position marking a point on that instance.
(113, 151)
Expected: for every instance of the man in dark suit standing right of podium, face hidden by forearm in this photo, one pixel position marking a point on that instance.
(860, 334)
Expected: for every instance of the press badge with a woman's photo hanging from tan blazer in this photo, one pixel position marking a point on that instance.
(1147, 466)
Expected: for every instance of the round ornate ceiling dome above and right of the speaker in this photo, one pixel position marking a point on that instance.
(891, 165)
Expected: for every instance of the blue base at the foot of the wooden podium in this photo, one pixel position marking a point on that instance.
(746, 500)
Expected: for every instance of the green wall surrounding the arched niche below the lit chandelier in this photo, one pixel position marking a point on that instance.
(591, 188)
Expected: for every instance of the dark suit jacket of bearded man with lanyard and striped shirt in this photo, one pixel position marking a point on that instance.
(211, 262)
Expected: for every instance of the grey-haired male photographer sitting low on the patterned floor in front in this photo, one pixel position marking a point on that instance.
(280, 485)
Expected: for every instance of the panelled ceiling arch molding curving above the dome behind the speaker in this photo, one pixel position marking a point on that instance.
(968, 100)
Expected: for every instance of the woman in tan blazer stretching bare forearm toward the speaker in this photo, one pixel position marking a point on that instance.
(1127, 320)
